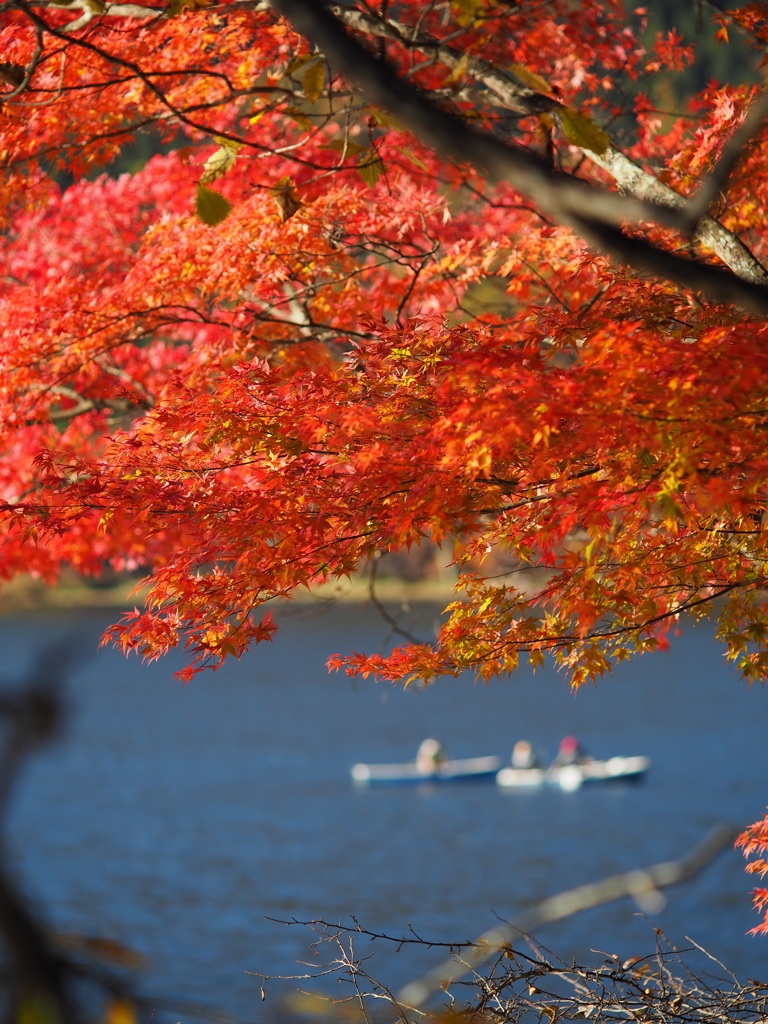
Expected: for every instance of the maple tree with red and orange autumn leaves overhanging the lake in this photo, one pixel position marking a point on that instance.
(255, 364)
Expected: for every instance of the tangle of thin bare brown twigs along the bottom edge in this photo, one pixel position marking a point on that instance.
(521, 988)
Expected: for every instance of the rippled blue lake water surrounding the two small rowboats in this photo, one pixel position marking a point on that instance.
(180, 821)
